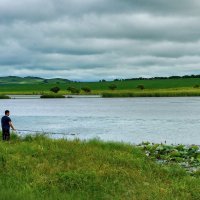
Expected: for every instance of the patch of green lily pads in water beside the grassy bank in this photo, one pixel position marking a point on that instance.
(186, 156)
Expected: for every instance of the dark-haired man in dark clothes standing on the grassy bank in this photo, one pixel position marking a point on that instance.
(6, 123)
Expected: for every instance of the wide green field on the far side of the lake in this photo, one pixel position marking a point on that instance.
(161, 86)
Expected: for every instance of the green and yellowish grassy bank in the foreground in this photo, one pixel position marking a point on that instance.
(41, 168)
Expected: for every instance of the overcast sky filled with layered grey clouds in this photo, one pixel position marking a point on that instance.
(89, 40)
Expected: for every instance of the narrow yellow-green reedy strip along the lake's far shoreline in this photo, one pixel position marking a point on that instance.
(170, 92)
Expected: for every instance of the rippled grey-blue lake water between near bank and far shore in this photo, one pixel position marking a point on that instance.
(174, 120)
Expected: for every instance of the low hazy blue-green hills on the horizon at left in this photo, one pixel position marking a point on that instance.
(30, 80)
